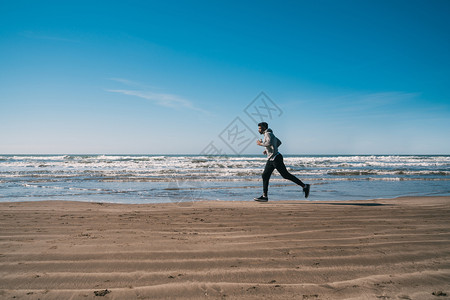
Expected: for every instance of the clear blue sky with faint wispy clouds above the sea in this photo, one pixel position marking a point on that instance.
(167, 77)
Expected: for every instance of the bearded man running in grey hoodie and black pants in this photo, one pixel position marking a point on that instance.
(274, 161)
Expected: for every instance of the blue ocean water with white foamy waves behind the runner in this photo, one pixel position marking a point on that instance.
(187, 178)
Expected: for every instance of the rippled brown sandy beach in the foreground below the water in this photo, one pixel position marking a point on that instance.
(380, 249)
